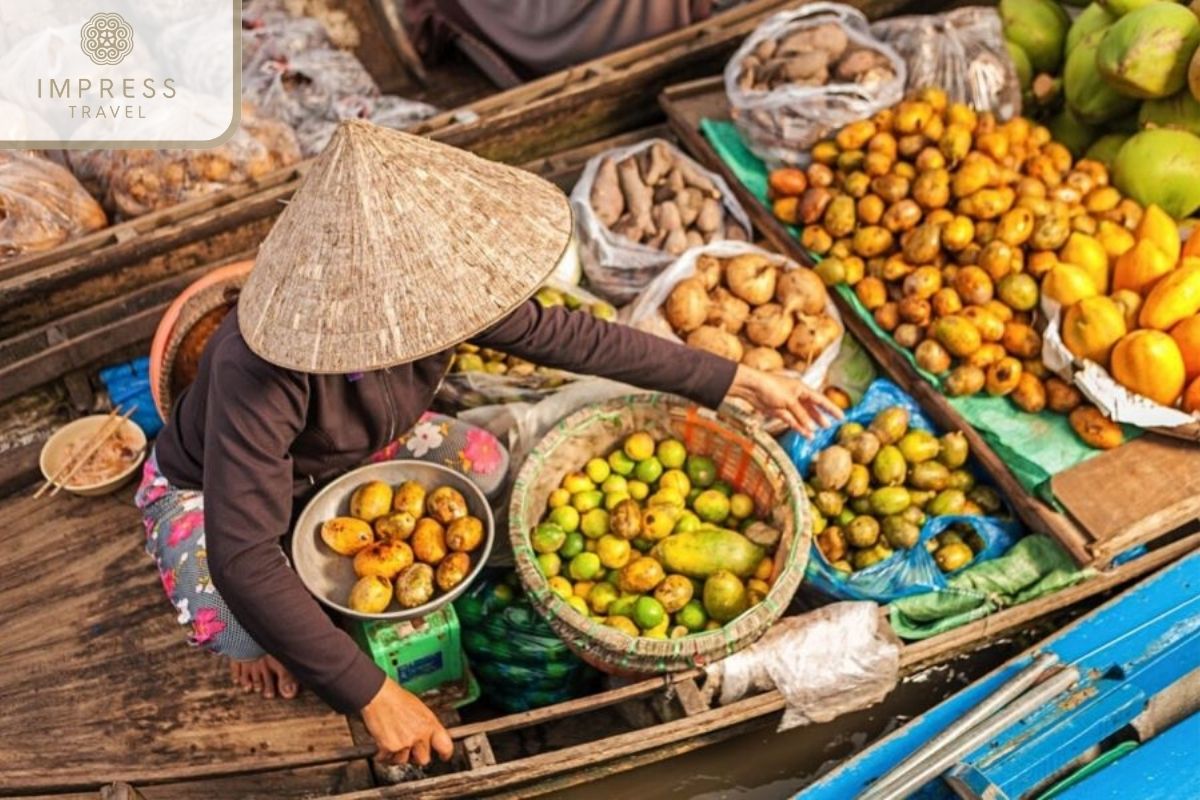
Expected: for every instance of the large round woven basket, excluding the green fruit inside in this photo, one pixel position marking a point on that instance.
(746, 458)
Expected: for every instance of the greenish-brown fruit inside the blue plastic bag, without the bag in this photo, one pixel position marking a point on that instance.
(875, 488)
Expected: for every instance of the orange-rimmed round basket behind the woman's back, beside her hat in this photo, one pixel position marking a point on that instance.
(185, 330)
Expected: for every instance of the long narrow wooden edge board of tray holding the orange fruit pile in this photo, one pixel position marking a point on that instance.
(686, 106)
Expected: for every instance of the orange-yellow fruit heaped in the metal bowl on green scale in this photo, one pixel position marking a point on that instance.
(406, 544)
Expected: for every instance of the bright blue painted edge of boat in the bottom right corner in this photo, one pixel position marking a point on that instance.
(1087, 641)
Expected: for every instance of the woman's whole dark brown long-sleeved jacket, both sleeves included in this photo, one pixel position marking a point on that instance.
(259, 438)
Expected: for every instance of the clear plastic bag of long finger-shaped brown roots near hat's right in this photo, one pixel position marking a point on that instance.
(638, 208)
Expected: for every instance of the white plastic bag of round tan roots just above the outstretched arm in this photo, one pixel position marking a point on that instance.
(734, 299)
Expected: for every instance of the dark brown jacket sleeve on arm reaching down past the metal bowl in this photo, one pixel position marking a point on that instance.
(255, 412)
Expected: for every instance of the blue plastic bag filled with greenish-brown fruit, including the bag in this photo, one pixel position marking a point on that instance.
(896, 509)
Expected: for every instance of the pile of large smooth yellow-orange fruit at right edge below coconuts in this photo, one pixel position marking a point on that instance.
(1138, 315)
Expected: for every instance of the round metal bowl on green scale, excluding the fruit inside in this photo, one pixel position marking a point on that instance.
(331, 576)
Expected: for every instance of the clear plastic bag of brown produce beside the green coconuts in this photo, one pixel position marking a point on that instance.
(962, 52)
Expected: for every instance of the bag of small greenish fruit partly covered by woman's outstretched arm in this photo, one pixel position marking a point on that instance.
(484, 377)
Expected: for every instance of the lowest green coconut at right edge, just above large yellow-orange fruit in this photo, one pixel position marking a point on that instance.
(1160, 167)
